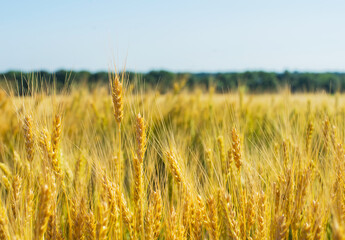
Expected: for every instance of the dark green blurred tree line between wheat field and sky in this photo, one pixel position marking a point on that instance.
(252, 81)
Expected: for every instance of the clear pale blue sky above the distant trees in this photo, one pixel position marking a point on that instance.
(195, 35)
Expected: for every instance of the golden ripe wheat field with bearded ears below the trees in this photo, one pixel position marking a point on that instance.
(126, 164)
